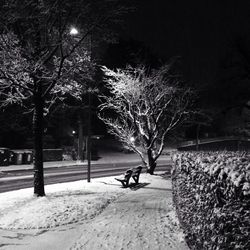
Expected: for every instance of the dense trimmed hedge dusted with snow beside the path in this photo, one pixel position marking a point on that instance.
(211, 192)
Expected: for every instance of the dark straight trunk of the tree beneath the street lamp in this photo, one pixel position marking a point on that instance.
(38, 145)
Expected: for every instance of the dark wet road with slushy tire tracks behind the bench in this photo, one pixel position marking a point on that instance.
(18, 179)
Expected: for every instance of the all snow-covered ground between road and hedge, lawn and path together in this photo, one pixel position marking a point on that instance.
(96, 215)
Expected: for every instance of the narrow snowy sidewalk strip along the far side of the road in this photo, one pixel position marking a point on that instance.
(110, 157)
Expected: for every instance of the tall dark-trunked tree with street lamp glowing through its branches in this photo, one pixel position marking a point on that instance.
(39, 56)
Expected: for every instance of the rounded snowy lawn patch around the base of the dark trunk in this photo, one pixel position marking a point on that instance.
(64, 203)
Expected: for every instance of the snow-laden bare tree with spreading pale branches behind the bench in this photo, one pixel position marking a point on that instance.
(144, 107)
